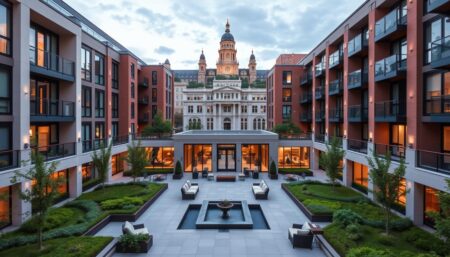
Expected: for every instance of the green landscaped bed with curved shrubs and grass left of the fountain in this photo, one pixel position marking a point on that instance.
(81, 215)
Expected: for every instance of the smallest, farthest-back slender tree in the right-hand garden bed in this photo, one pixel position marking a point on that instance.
(331, 159)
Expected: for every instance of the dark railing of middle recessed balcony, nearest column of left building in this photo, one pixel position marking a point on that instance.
(48, 107)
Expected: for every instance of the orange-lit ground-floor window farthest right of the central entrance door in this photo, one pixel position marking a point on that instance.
(293, 157)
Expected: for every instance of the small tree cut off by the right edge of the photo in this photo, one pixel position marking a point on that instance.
(442, 219)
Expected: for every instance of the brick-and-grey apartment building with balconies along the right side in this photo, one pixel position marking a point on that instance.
(379, 82)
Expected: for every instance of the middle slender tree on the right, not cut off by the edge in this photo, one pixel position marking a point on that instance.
(386, 184)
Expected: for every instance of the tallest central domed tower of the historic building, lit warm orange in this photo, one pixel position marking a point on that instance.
(227, 63)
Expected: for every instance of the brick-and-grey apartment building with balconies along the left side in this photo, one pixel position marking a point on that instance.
(67, 88)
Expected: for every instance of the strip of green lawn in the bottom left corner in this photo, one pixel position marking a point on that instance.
(61, 247)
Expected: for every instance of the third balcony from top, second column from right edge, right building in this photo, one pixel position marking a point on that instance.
(390, 111)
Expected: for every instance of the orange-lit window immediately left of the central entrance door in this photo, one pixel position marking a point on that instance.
(197, 157)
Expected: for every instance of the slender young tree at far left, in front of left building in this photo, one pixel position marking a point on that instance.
(43, 192)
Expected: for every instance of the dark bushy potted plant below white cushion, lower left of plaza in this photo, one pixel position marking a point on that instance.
(140, 243)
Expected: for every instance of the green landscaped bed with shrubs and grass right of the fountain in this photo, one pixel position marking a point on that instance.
(404, 240)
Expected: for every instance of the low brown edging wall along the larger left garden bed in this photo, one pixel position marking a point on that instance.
(124, 217)
